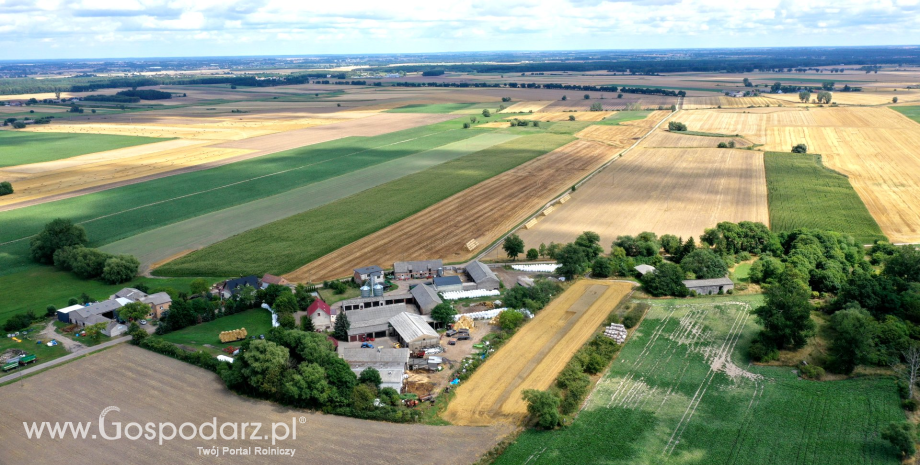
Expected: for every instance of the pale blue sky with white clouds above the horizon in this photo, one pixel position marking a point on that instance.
(43, 29)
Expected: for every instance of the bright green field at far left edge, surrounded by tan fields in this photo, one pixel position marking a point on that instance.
(20, 148)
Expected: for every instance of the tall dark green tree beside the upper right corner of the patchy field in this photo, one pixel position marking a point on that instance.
(786, 313)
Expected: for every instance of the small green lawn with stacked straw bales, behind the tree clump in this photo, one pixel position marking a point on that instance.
(256, 321)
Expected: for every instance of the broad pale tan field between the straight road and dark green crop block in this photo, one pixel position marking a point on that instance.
(666, 191)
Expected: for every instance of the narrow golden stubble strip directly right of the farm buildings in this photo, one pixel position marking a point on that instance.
(535, 355)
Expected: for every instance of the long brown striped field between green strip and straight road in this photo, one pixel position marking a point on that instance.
(483, 212)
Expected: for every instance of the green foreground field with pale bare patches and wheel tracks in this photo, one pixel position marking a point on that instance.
(676, 396)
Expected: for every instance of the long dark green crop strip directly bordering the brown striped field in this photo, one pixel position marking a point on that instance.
(285, 245)
